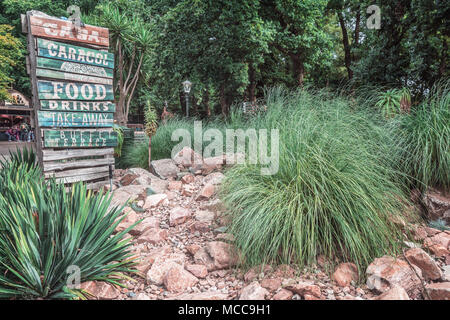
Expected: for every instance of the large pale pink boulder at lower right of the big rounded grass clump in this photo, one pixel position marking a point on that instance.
(386, 272)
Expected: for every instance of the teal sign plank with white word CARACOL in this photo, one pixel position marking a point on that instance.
(71, 53)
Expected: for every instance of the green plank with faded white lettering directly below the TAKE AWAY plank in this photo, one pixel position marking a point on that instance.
(79, 138)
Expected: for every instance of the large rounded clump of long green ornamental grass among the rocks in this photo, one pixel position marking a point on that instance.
(334, 193)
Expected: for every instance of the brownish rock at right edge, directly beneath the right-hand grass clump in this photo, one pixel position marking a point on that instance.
(437, 203)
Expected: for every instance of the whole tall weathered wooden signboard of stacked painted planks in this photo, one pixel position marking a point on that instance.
(72, 84)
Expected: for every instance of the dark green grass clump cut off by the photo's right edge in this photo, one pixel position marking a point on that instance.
(424, 135)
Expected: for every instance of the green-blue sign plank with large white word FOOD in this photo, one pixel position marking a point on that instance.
(57, 90)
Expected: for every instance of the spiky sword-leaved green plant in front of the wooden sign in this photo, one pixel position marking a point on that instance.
(46, 229)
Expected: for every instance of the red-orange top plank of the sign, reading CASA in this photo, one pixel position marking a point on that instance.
(66, 30)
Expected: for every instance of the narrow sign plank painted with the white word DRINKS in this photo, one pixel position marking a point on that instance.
(74, 105)
